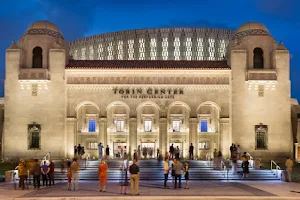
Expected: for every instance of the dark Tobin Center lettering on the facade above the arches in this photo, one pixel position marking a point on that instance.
(148, 93)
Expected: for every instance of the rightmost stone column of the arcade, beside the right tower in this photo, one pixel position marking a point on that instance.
(224, 135)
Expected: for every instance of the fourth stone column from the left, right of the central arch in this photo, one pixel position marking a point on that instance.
(163, 133)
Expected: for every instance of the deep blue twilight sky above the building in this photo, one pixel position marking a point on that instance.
(80, 18)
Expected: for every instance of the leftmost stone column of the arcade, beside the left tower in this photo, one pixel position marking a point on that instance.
(71, 137)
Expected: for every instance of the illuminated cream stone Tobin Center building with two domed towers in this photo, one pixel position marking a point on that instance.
(148, 88)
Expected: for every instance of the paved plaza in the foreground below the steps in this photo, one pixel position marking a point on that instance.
(208, 190)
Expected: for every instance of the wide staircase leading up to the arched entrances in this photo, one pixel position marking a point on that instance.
(153, 170)
